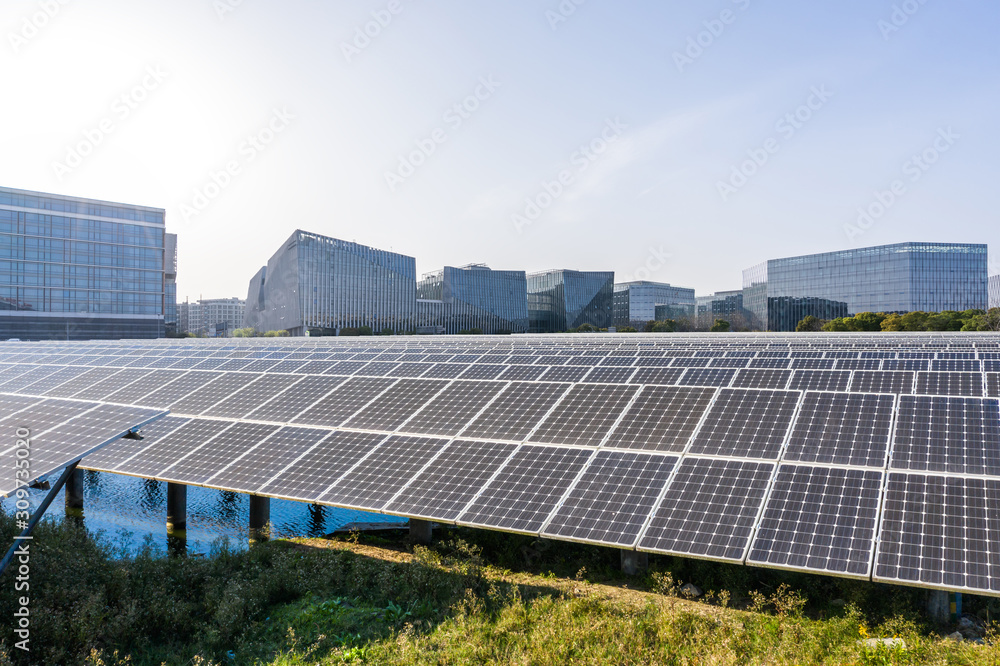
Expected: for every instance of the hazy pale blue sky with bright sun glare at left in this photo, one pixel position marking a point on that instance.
(679, 142)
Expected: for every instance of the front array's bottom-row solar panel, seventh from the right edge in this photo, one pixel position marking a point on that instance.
(380, 476)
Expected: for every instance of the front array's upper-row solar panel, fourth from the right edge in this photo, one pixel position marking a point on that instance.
(662, 418)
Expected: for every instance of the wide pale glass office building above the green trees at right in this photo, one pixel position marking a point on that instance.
(900, 278)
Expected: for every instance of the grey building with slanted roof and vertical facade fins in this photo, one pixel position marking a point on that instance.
(319, 285)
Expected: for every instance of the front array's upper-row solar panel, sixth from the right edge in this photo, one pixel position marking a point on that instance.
(515, 412)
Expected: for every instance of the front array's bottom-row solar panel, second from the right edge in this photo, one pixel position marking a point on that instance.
(819, 519)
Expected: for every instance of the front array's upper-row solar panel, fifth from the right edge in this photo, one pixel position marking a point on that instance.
(585, 415)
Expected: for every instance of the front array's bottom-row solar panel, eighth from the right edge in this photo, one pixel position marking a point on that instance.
(308, 477)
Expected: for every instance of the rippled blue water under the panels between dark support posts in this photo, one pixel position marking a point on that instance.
(129, 511)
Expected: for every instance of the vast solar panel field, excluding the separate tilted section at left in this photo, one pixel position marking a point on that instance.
(866, 456)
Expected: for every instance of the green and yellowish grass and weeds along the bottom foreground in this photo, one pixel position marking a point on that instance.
(472, 598)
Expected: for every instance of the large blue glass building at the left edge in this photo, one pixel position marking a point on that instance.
(80, 269)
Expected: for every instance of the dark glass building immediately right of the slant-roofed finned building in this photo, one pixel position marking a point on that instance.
(475, 297)
